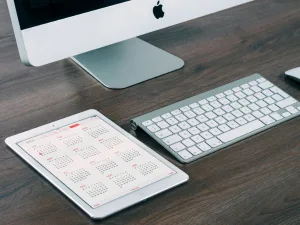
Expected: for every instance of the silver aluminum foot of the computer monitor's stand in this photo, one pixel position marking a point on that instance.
(127, 63)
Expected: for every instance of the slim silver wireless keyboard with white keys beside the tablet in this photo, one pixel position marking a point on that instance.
(203, 124)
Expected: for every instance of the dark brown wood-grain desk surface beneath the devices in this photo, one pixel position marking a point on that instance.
(256, 181)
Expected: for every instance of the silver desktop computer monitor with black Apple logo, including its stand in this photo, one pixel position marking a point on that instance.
(99, 35)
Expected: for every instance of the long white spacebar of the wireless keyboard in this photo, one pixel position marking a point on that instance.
(241, 131)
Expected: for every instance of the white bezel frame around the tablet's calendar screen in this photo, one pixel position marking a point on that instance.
(113, 206)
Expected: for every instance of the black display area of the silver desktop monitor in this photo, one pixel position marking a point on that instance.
(33, 13)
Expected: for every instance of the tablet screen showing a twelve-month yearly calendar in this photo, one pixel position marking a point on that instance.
(95, 161)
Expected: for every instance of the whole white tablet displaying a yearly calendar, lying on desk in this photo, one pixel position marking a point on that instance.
(99, 166)
